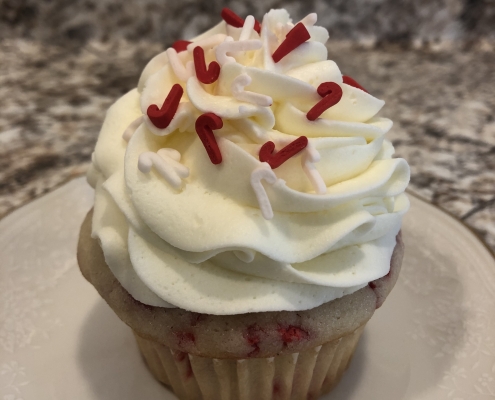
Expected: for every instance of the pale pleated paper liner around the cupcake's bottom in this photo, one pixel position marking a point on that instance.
(298, 376)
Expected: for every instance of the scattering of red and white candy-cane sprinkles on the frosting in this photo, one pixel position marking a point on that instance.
(166, 161)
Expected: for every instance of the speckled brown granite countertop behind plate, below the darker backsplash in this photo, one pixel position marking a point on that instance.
(53, 100)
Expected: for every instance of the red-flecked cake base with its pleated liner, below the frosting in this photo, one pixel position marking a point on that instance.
(269, 355)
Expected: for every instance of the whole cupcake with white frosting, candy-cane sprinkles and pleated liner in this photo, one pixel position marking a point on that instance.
(247, 212)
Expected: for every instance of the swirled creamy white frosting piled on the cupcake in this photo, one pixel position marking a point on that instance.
(199, 241)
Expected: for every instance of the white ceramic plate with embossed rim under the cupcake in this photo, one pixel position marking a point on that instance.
(433, 339)
